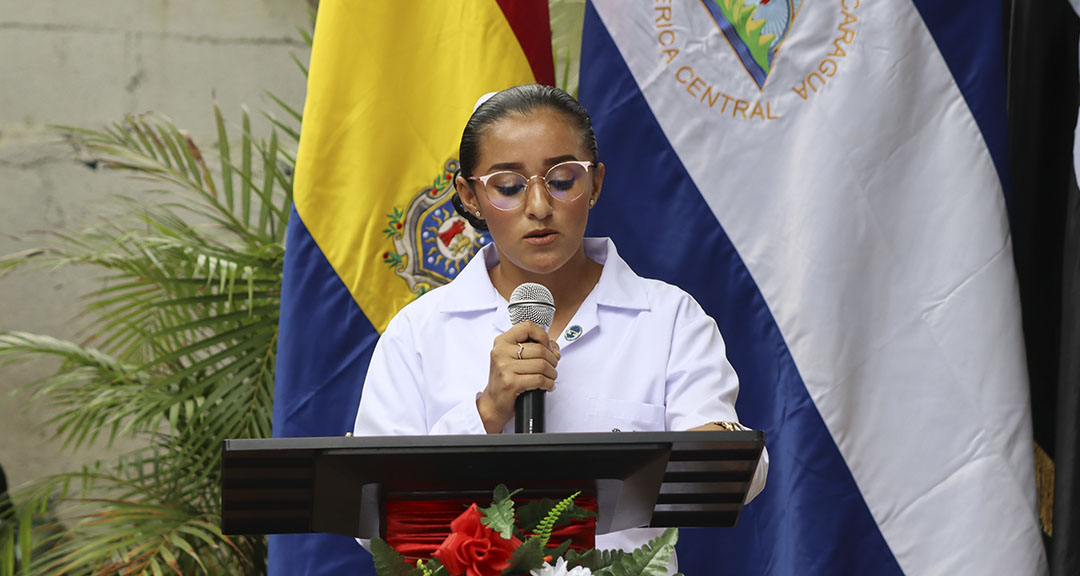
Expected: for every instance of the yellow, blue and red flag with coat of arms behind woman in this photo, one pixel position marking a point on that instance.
(391, 86)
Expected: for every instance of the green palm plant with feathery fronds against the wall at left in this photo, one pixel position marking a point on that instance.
(182, 355)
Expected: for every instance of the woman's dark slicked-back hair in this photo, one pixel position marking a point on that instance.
(520, 101)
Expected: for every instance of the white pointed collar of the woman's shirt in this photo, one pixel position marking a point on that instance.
(618, 287)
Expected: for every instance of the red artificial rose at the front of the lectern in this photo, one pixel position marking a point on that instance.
(474, 550)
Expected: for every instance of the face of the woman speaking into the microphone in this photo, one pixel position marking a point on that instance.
(543, 235)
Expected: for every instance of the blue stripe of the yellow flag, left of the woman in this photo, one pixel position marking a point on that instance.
(323, 350)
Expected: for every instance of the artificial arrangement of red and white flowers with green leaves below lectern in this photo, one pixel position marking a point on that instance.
(505, 541)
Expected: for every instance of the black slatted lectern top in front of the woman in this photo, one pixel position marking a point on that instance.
(341, 486)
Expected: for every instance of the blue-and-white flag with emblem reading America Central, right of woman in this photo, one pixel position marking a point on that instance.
(826, 177)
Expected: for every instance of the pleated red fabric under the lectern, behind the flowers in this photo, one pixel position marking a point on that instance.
(415, 529)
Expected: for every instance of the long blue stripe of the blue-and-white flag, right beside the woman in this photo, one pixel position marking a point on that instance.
(812, 518)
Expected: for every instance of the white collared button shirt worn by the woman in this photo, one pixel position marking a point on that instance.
(639, 355)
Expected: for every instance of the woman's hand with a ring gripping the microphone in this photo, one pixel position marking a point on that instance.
(523, 359)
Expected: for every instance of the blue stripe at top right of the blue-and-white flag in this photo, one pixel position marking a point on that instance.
(969, 37)
